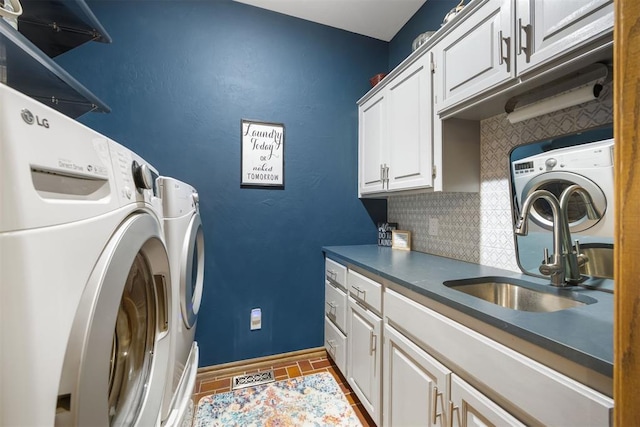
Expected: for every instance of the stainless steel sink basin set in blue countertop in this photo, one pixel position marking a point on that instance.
(519, 295)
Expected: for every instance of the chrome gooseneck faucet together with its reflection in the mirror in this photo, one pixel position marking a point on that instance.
(567, 259)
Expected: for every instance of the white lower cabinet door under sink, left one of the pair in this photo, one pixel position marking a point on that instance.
(416, 386)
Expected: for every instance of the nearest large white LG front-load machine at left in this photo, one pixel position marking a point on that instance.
(85, 280)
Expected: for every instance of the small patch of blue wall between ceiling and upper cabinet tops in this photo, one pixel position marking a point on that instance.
(427, 18)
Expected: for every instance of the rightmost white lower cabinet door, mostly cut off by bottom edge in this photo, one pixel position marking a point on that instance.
(469, 408)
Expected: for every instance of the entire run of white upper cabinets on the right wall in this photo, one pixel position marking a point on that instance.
(407, 139)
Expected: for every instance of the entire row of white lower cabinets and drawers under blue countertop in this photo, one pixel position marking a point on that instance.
(411, 366)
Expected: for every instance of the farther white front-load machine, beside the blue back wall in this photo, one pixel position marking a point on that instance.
(185, 244)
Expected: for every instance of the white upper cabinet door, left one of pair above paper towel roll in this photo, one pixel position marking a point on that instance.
(475, 56)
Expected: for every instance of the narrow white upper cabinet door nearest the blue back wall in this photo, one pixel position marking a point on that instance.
(371, 137)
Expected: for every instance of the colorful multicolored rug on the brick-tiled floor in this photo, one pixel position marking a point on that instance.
(314, 400)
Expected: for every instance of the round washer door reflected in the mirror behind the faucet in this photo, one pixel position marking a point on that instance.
(556, 182)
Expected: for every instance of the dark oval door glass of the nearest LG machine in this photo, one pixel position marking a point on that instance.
(132, 346)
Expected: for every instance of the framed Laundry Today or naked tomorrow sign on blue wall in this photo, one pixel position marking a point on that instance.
(262, 153)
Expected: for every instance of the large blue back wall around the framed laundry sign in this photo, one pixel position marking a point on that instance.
(179, 76)
